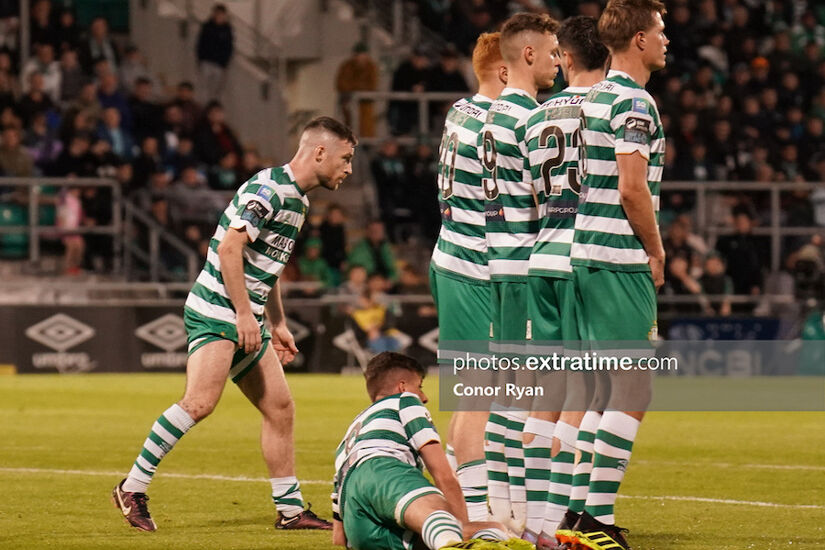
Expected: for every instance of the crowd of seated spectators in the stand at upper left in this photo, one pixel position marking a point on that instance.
(86, 105)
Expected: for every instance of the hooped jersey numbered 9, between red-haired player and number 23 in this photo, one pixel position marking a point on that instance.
(510, 210)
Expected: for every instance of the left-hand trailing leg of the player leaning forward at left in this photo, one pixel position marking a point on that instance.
(206, 372)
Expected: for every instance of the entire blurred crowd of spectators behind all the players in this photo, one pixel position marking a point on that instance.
(742, 99)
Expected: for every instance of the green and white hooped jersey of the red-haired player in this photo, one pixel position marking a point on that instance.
(461, 248)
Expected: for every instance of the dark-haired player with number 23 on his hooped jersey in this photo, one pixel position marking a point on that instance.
(553, 138)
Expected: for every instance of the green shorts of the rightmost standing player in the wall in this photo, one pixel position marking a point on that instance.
(616, 306)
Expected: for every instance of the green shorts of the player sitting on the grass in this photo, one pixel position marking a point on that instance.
(374, 498)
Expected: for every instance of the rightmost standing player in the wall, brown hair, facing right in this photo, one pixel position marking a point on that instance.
(617, 253)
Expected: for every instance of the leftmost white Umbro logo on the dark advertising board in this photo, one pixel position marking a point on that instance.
(61, 333)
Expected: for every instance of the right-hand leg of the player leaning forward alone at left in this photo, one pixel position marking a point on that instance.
(264, 384)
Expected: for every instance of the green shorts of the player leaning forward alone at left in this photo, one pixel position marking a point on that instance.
(200, 330)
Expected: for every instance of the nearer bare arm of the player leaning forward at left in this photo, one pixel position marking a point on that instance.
(230, 252)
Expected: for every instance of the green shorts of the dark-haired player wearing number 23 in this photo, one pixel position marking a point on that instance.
(551, 306)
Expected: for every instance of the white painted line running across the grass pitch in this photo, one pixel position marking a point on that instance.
(245, 479)
